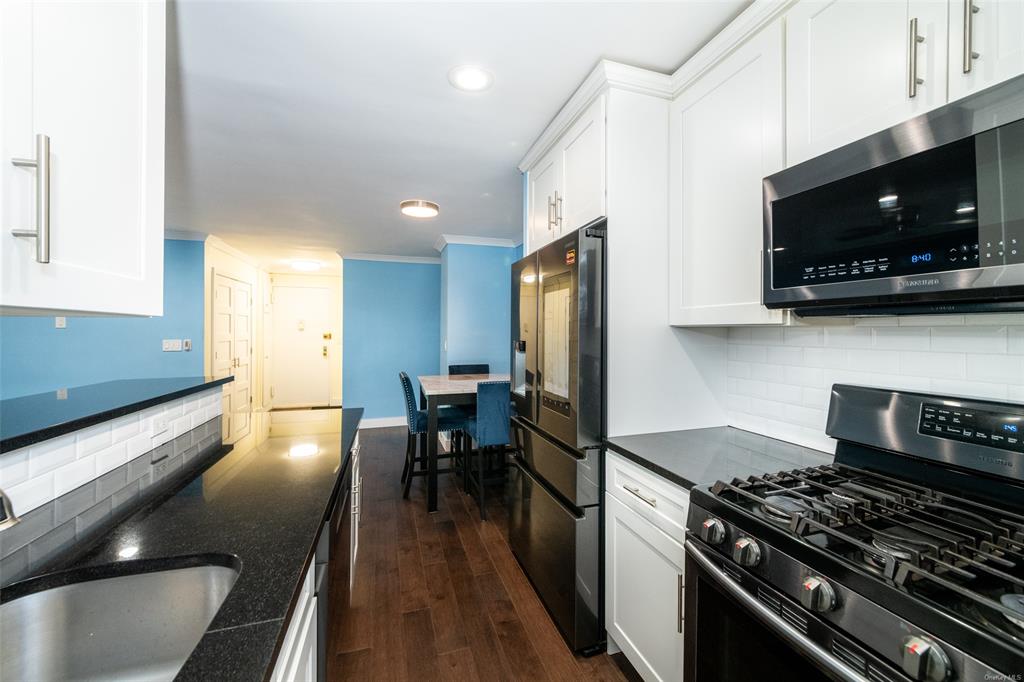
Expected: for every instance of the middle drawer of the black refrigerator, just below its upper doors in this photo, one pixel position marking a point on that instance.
(576, 476)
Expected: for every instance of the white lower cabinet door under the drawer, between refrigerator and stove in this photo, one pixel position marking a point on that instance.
(644, 576)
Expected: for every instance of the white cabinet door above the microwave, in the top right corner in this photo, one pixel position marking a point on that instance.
(995, 33)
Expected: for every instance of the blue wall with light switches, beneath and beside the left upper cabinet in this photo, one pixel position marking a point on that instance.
(35, 357)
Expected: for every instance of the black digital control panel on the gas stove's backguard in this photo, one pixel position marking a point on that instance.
(985, 428)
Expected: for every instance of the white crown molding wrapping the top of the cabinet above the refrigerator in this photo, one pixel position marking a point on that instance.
(607, 74)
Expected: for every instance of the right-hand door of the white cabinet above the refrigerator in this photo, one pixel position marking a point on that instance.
(582, 197)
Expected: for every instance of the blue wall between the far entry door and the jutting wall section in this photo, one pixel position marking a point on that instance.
(393, 324)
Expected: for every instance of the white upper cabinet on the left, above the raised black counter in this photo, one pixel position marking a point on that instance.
(90, 76)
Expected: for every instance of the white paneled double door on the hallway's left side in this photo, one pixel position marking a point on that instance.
(233, 352)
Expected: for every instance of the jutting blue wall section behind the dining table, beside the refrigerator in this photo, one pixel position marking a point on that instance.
(477, 286)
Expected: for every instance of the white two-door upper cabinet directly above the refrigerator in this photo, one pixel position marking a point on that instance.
(568, 185)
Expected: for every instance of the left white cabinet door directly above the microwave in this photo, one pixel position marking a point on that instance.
(848, 65)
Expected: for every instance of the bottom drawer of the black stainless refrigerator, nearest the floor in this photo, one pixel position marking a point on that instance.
(560, 550)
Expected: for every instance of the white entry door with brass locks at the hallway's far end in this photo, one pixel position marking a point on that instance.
(303, 331)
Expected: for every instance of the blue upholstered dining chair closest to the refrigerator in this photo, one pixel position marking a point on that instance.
(490, 432)
